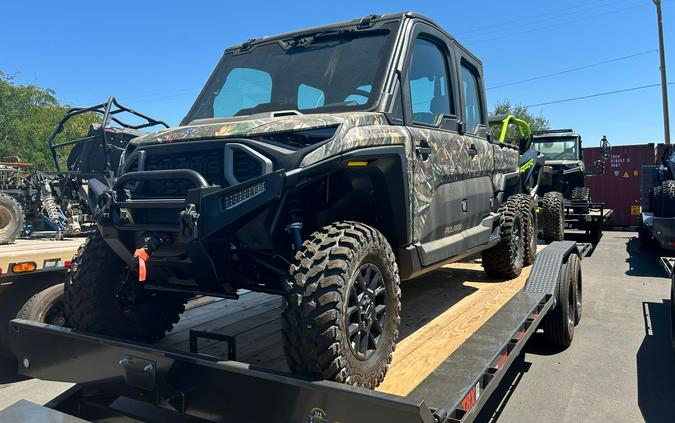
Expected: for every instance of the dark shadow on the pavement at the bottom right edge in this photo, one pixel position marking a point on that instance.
(656, 365)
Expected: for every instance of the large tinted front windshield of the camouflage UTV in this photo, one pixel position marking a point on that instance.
(336, 70)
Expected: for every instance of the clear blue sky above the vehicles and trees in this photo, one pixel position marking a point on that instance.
(155, 56)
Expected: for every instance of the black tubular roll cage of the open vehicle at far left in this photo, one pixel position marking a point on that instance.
(107, 110)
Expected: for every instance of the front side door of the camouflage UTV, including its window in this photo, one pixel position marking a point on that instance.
(441, 213)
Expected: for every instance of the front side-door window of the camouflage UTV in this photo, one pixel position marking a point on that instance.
(428, 78)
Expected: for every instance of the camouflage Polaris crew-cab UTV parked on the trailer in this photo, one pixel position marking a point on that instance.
(324, 165)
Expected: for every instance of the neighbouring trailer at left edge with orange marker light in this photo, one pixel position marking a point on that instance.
(29, 269)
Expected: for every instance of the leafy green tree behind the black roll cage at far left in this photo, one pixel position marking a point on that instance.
(28, 115)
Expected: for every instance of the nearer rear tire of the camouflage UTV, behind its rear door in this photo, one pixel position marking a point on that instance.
(505, 260)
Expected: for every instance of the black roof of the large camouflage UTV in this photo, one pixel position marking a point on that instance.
(366, 20)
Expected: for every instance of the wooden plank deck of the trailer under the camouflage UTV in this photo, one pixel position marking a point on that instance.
(439, 312)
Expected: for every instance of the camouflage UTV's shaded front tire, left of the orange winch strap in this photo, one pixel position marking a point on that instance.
(95, 302)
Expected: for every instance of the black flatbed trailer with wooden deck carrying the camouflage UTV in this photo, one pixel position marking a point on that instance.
(454, 352)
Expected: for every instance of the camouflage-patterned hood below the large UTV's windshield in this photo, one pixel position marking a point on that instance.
(240, 127)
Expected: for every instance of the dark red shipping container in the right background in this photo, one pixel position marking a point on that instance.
(619, 186)
